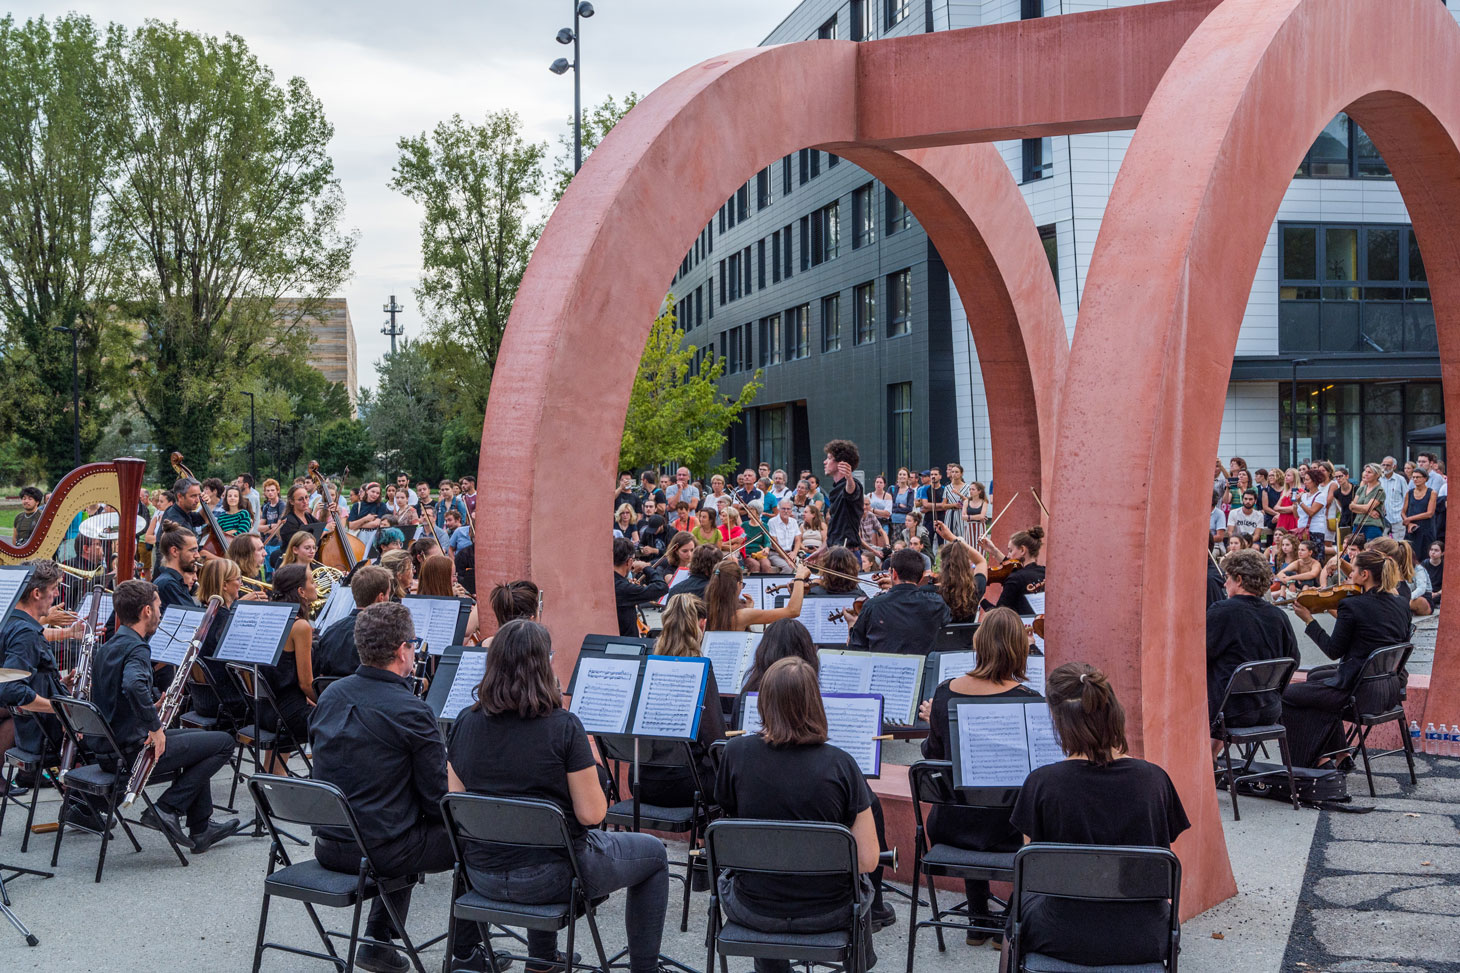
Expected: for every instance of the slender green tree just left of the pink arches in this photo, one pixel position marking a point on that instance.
(477, 185)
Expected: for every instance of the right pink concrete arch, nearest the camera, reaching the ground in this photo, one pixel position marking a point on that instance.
(1164, 300)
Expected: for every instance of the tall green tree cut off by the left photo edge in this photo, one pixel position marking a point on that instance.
(55, 164)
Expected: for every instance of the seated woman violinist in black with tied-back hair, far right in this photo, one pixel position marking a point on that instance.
(1369, 622)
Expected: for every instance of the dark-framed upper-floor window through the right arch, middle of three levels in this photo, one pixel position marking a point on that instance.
(1353, 290)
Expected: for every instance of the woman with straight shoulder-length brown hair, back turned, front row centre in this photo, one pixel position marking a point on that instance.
(756, 782)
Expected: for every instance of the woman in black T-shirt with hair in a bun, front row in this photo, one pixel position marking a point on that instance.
(1096, 797)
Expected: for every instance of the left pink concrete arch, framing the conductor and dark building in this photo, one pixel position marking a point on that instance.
(602, 267)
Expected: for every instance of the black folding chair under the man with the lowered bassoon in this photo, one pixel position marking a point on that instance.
(100, 779)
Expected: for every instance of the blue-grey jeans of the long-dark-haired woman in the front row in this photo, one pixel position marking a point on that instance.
(610, 861)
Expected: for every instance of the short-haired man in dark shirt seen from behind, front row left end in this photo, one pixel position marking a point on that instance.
(379, 743)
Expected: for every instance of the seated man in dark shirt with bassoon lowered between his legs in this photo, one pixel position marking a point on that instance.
(123, 692)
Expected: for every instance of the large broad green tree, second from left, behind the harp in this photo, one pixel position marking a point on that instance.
(227, 208)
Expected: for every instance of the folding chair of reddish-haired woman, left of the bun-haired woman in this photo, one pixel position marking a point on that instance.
(932, 782)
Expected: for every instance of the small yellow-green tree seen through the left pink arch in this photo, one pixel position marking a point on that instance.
(677, 416)
